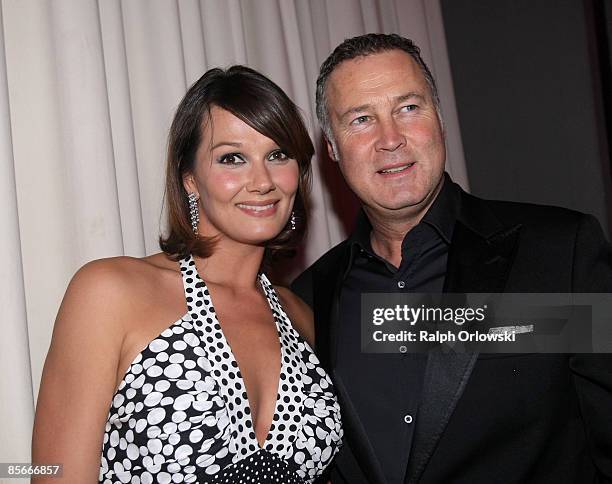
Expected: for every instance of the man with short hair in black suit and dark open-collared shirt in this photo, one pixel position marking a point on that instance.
(438, 418)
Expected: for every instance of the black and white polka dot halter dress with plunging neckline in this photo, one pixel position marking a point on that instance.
(181, 413)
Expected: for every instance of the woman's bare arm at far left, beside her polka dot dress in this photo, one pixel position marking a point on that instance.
(79, 375)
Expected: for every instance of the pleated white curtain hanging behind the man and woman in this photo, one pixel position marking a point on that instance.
(87, 93)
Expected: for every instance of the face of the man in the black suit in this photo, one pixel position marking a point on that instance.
(387, 132)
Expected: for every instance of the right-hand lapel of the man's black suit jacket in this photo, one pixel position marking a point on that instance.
(479, 260)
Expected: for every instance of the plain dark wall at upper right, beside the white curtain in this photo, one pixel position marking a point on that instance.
(533, 90)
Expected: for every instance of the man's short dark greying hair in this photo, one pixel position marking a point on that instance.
(361, 46)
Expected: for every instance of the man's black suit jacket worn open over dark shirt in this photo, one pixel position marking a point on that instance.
(489, 418)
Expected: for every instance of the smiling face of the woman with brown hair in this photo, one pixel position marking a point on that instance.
(246, 183)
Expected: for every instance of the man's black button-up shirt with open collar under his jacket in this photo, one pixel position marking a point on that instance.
(385, 389)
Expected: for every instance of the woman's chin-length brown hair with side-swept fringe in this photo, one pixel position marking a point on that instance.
(261, 104)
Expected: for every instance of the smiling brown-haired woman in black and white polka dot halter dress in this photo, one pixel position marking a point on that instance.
(231, 391)
